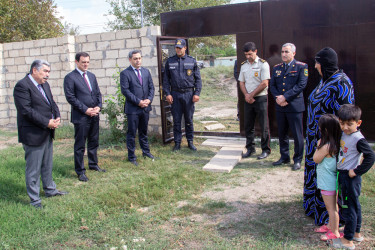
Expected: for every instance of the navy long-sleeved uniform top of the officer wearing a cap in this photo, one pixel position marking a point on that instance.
(181, 73)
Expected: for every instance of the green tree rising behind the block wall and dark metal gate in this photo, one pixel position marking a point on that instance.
(128, 12)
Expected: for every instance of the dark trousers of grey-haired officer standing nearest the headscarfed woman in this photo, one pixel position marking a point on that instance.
(292, 120)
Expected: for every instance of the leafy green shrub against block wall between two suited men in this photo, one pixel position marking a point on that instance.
(114, 109)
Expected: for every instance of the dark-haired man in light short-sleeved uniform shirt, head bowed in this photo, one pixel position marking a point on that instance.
(254, 78)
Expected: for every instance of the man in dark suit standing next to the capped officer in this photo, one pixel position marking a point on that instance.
(138, 88)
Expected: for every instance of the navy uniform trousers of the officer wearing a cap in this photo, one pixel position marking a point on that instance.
(183, 105)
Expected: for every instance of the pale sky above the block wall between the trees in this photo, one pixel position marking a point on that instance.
(89, 14)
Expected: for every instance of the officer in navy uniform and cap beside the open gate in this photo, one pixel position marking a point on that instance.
(182, 85)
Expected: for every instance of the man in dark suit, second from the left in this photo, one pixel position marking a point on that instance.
(83, 93)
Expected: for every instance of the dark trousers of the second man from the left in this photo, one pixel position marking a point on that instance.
(86, 130)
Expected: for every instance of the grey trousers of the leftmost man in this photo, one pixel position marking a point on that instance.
(39, 164)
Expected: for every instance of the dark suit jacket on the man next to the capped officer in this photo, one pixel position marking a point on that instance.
(134, 92)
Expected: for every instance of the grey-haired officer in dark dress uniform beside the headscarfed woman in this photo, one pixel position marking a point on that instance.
(288, 81)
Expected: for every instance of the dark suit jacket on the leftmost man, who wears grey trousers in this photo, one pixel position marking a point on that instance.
(34, 112)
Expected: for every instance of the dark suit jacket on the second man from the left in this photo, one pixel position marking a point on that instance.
(79, 95)
